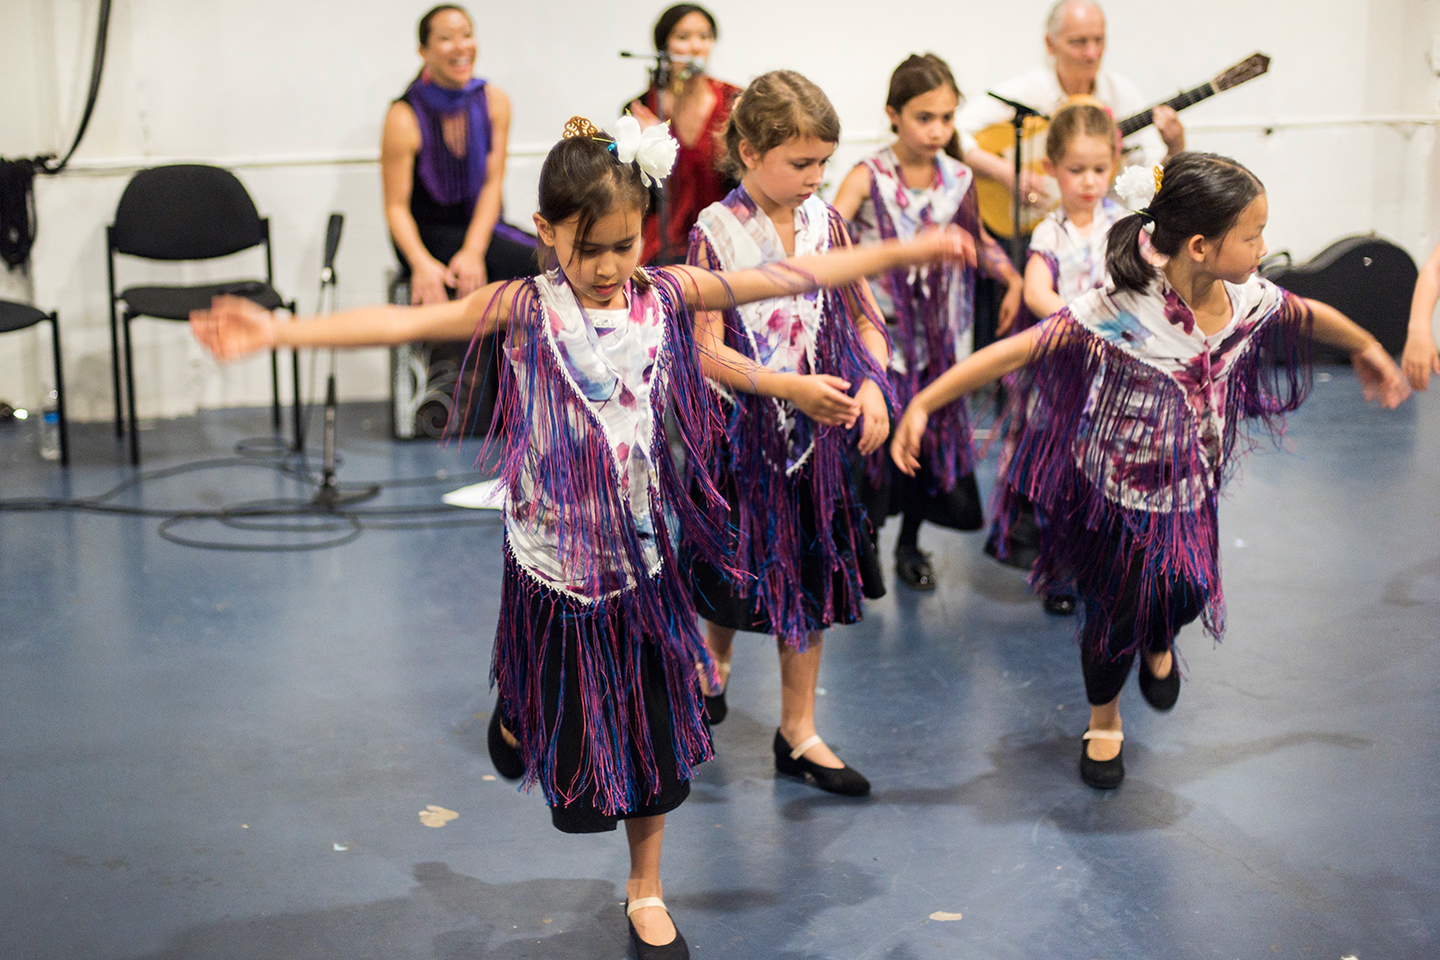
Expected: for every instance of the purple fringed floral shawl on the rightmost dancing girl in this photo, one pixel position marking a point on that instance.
(1138, 438)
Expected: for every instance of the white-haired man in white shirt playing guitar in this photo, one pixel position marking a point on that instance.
(1075, 40)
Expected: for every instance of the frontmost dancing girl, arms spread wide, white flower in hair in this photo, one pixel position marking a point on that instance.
(597, 646)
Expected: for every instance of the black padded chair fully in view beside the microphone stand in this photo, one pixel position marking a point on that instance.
(185, 212)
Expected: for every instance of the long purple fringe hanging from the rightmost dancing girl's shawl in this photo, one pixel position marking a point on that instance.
(1091, 539)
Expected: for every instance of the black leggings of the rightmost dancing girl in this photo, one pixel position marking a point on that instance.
(1107, 660)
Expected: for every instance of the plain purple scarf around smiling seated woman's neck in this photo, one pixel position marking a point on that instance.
(447, 178)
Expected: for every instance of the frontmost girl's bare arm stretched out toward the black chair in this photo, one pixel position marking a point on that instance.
(235, 327)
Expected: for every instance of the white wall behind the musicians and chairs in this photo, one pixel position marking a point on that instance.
(292, 97)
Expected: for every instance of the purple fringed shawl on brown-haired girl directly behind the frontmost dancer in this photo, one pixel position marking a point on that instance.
(761, 457)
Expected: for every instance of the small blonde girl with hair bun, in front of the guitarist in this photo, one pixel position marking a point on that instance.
(1066, 260)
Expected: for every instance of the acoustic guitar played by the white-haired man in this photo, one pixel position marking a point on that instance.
(1000, 139)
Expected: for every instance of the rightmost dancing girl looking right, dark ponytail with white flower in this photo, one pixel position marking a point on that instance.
(1148, 386)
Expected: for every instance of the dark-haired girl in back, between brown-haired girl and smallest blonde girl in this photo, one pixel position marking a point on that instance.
(918, 184)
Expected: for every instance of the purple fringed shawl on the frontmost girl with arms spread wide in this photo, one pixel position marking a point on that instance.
(561, 470)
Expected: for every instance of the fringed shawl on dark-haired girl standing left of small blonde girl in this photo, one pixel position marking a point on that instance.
(932, 307)
